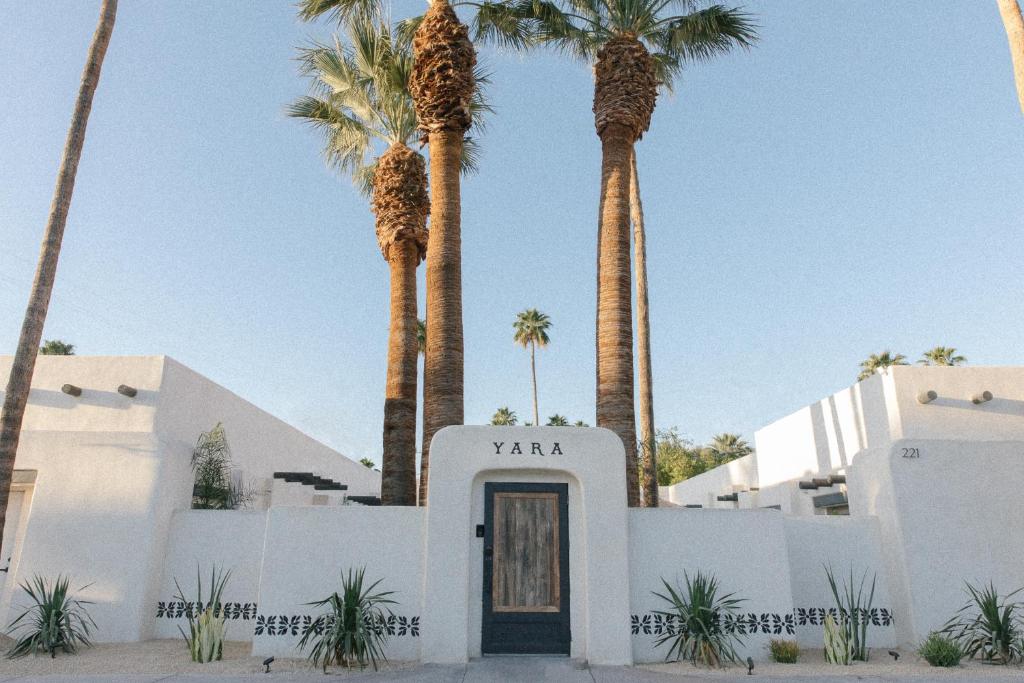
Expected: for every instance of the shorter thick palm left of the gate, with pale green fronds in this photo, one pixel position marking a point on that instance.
(361, 103)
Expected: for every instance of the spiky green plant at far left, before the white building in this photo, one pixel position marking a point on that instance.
(55, 621)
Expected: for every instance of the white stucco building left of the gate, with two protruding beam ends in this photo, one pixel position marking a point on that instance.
(111, 472)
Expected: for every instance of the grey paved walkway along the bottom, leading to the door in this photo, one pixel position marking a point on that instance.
(490, 670)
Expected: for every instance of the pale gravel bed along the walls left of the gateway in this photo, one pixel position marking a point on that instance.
(160, 657)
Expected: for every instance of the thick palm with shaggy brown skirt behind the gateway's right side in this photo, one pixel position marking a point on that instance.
(635, 48)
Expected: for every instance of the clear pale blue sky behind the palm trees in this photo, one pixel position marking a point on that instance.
(855, 184)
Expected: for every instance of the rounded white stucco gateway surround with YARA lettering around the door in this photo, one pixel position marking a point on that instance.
(592, 461)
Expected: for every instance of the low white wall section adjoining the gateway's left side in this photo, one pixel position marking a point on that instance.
(308, 548)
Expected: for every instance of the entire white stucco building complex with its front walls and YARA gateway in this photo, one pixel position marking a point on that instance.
(932, 490)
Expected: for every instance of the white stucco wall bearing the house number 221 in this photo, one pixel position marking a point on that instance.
(954, 515)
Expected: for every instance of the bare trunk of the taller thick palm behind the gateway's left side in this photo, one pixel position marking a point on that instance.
(443, 370)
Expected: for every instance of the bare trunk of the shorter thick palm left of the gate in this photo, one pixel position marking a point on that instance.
(399, 469)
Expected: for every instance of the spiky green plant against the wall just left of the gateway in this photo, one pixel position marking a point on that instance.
(351, 632)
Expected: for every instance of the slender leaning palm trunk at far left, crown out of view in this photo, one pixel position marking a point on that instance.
(20, 381)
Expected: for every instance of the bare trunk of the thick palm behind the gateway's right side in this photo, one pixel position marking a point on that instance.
(615, 361)
